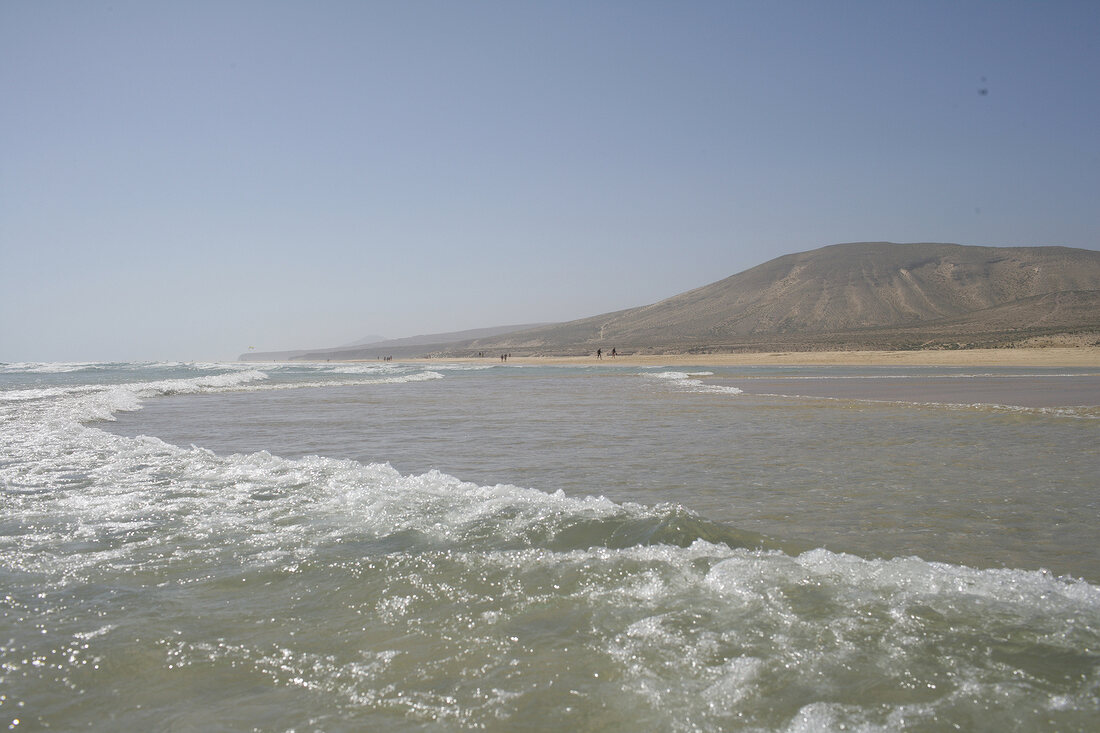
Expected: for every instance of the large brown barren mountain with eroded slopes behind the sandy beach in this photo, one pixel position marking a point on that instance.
(857, 296)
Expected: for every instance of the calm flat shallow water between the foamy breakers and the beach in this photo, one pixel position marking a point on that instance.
(981, 486)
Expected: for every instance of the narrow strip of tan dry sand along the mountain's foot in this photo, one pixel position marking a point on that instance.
(1042, 357)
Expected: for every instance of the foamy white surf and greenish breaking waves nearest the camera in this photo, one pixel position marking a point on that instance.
(326, 594)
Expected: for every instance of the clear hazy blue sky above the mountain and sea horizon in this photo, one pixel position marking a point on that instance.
(183, 181)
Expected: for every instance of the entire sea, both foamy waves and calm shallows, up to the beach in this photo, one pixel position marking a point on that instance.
(488, 546)
